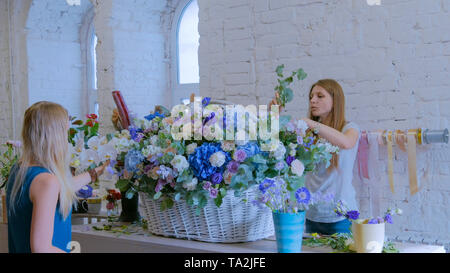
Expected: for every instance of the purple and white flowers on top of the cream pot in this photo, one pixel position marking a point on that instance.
(354, 215)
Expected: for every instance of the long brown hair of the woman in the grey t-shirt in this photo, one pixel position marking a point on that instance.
(337, 118)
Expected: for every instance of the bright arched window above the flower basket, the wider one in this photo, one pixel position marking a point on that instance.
(185, 69)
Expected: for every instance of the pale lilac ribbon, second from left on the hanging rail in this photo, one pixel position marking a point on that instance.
(375, 187)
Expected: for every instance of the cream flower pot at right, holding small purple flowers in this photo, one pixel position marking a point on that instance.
(368, 238)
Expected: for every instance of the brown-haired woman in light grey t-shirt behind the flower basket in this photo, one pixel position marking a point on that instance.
(327, 116)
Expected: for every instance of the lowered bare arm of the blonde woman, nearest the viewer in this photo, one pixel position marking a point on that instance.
(44, 194)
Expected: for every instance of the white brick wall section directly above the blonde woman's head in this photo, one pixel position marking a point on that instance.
(54, 53)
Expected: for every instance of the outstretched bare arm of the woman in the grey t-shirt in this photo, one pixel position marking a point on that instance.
(345, 140)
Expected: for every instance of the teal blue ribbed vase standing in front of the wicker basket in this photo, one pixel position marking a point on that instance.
(289, 231)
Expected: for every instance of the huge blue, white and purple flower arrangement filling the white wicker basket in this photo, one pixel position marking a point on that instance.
(149, 159)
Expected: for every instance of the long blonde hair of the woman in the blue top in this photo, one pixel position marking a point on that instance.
(45, 142)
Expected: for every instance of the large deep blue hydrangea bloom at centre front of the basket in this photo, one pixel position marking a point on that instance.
(199, 161)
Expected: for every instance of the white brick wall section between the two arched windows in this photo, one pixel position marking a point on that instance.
(134, 54)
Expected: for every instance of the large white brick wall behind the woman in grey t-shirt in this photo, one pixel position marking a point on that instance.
(392, 61)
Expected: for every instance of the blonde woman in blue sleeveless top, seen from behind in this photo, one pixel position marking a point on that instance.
(41, 190)
